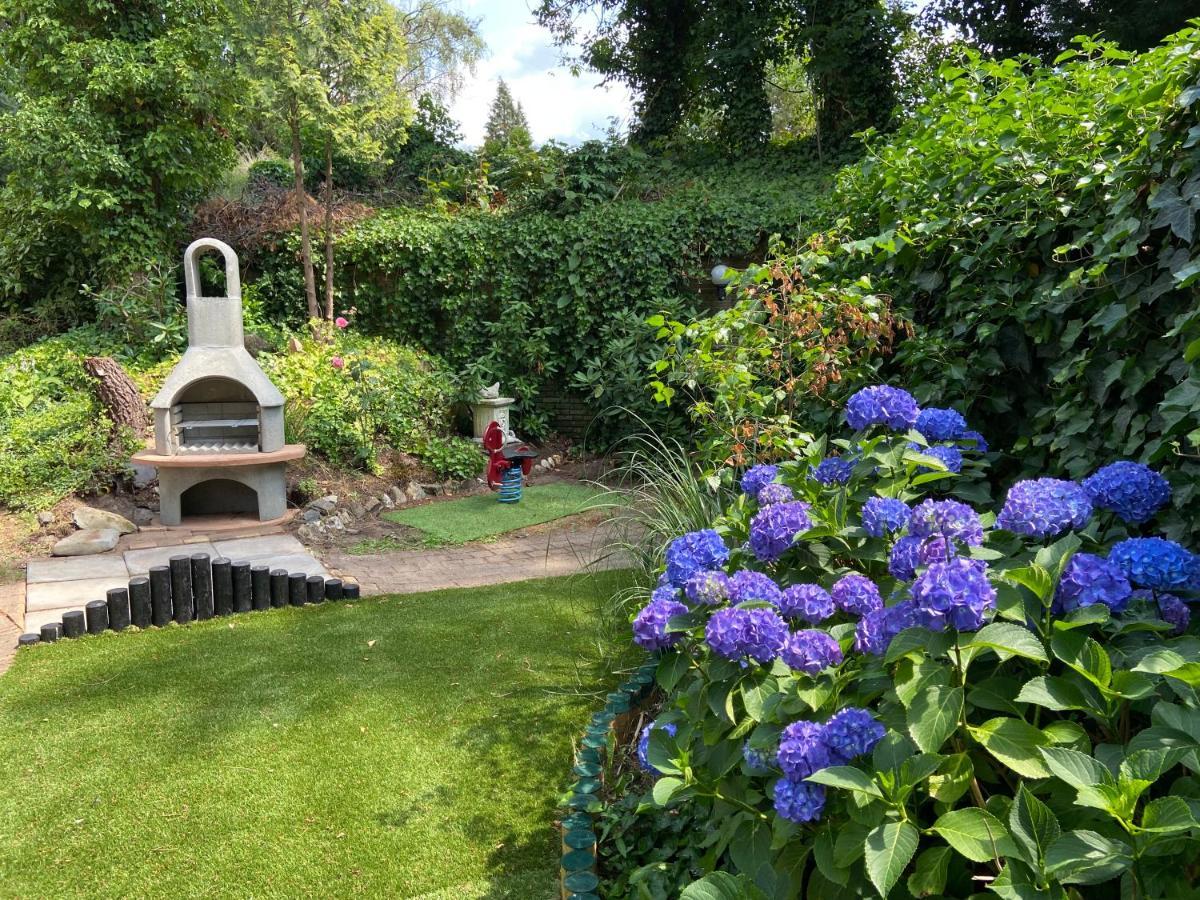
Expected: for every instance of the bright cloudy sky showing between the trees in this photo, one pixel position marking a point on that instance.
(560, 106)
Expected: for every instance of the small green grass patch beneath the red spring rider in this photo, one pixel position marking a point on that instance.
(481, 517)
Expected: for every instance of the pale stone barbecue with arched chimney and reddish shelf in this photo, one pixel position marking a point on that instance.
(218, 421)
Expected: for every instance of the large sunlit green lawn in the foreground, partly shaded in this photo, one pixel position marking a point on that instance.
(404, 747)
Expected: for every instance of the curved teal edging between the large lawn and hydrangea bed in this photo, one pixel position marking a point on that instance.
(578, 866)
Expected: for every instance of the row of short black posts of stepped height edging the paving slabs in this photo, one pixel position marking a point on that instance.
(191, 589)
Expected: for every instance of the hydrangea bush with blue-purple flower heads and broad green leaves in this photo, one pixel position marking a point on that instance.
(881, 682)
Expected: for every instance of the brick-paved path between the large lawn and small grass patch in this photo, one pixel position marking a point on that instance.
(538, 554)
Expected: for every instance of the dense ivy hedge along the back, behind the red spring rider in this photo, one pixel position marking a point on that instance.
(556, 304)
